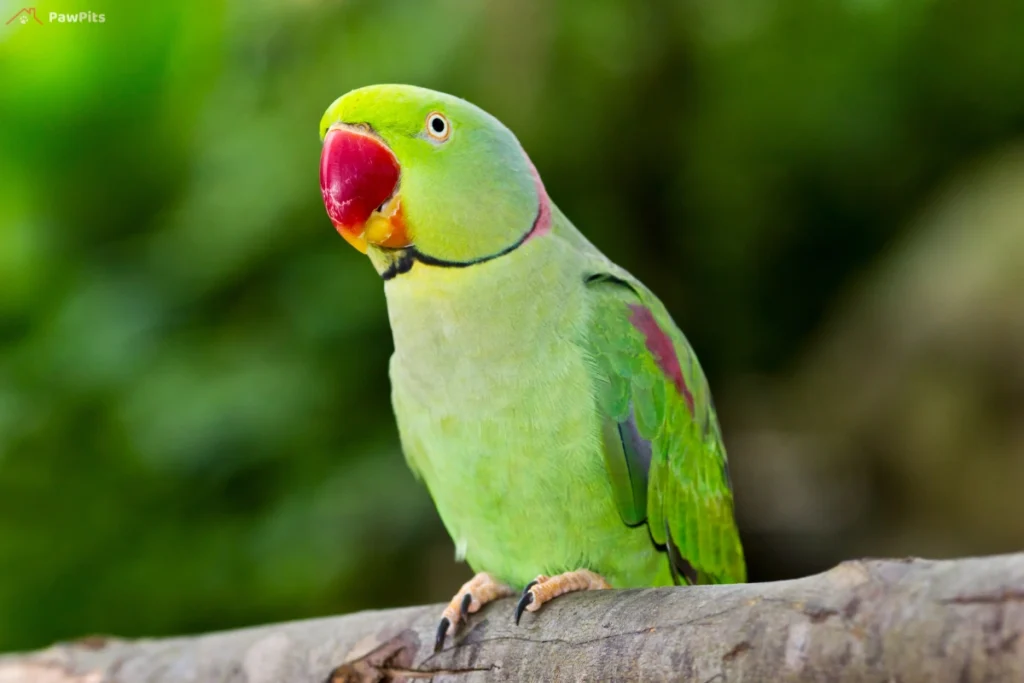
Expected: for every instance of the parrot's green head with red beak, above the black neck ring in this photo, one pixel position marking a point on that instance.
(410, 175)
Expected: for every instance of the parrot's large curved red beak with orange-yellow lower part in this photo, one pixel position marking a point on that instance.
(359, 179)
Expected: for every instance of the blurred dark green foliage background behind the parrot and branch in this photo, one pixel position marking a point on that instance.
(195, 422)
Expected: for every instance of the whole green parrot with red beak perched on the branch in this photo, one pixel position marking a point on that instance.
(557, 414)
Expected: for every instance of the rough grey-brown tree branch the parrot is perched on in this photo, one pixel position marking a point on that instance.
(904, 621)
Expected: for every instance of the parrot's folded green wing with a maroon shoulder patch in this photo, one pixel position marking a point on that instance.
(663, 445)
